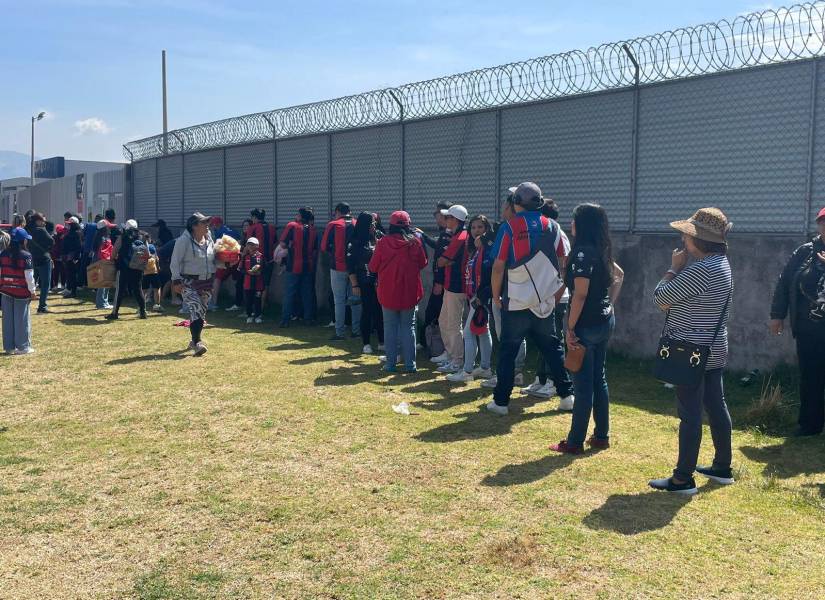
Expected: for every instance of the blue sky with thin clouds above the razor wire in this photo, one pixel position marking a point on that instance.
(94, 65)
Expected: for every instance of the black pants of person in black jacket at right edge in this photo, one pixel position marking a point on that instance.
(810, 349)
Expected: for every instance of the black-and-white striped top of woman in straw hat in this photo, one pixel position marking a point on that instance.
(696, 297)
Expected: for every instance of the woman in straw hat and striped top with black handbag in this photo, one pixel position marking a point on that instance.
(694, 347)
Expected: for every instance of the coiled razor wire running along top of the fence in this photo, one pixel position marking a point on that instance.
(759, 38)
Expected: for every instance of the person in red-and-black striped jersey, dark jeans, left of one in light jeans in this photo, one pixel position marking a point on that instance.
(300, 240)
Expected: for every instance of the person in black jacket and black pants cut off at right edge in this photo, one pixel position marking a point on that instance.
(800, 293)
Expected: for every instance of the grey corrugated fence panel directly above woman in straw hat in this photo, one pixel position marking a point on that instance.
(738, 141)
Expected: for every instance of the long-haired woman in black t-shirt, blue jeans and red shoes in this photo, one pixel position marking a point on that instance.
(590, 276)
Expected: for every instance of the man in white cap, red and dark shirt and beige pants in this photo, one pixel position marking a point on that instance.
(451, 318)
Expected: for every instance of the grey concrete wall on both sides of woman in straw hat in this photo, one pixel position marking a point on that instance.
(756, 262)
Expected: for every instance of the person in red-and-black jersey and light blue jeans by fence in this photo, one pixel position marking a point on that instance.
(334, 244)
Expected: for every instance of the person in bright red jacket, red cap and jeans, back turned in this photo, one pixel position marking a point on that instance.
(398, 259)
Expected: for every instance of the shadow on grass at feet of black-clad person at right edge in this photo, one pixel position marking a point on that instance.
(794, 456)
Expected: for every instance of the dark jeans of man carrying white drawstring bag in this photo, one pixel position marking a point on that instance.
(516, 325)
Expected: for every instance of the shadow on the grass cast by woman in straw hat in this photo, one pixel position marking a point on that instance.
(630, 514)
